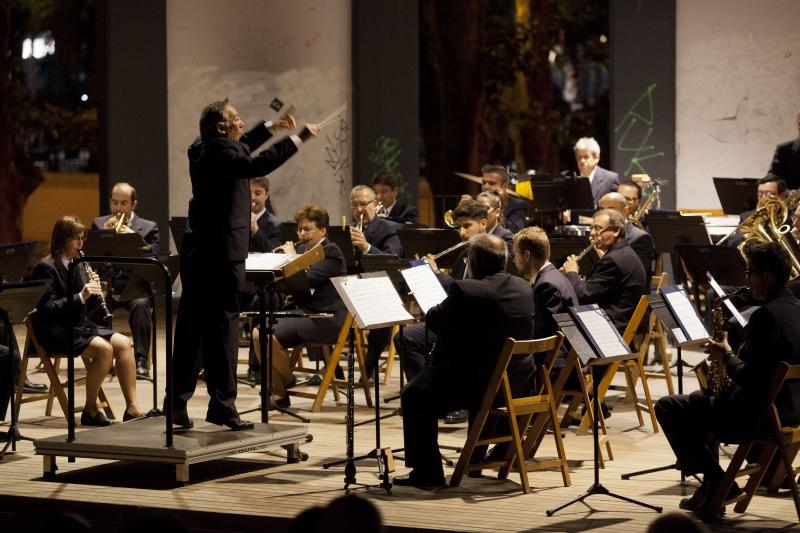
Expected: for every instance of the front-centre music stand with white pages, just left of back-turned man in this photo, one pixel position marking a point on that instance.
(358, 294)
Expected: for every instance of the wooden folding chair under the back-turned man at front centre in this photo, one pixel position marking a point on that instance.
(518, 412)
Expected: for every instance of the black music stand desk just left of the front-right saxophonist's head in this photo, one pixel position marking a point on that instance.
(724, 263)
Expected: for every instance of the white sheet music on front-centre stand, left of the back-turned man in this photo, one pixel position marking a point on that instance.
(372, 301)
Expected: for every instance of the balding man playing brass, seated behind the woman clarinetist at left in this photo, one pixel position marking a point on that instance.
(123, 217)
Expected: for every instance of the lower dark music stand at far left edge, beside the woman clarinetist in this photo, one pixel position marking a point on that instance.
(17, 300)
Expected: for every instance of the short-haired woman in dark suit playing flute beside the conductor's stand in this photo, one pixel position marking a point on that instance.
(312, 228)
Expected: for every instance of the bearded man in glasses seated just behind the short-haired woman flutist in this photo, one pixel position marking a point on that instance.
(371, 234)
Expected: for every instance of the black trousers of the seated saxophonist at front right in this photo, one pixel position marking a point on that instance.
(694, 425)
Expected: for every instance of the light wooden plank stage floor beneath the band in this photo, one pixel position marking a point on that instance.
(260, 492)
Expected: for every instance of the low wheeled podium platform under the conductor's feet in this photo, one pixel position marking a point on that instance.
(143, 440)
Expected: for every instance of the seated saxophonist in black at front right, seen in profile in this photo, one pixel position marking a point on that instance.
(692, 422)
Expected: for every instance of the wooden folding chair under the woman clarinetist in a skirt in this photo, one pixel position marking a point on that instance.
(51, 364)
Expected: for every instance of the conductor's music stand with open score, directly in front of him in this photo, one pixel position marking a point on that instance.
(266, 281)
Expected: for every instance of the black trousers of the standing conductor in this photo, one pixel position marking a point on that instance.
(206, 332)
